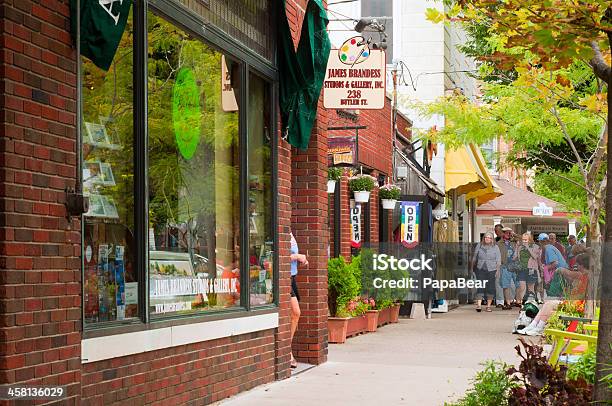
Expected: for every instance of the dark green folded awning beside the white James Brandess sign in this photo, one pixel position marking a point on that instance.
(302, 72)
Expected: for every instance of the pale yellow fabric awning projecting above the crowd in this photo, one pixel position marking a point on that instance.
(466, 172)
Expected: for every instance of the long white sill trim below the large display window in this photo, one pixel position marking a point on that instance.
(121, 345)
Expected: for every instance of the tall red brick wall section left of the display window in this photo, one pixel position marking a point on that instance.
(40, 313)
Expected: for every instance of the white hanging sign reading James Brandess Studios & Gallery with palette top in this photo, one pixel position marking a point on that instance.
(355, 77)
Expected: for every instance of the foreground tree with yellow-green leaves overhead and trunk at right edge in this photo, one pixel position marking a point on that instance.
(553, 34)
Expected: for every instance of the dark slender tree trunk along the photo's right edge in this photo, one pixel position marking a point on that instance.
(602, 393)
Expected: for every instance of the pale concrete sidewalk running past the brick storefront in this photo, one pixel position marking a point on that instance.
(413, 362)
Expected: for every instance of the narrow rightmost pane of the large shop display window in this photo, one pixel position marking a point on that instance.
(261, 231)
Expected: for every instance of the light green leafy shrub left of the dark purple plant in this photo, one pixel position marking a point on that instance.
(491, 387)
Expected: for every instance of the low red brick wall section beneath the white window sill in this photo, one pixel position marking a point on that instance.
(206, 372)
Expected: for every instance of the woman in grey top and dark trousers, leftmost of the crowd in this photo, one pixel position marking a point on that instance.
(486, 264)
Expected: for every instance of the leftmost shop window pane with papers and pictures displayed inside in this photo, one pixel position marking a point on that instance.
(110, 278)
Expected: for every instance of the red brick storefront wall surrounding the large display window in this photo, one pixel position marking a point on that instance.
(40, 266)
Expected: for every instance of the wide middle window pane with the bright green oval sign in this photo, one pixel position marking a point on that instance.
(194, 194)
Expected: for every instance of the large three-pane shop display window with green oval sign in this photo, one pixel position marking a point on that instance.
(203, 158)
